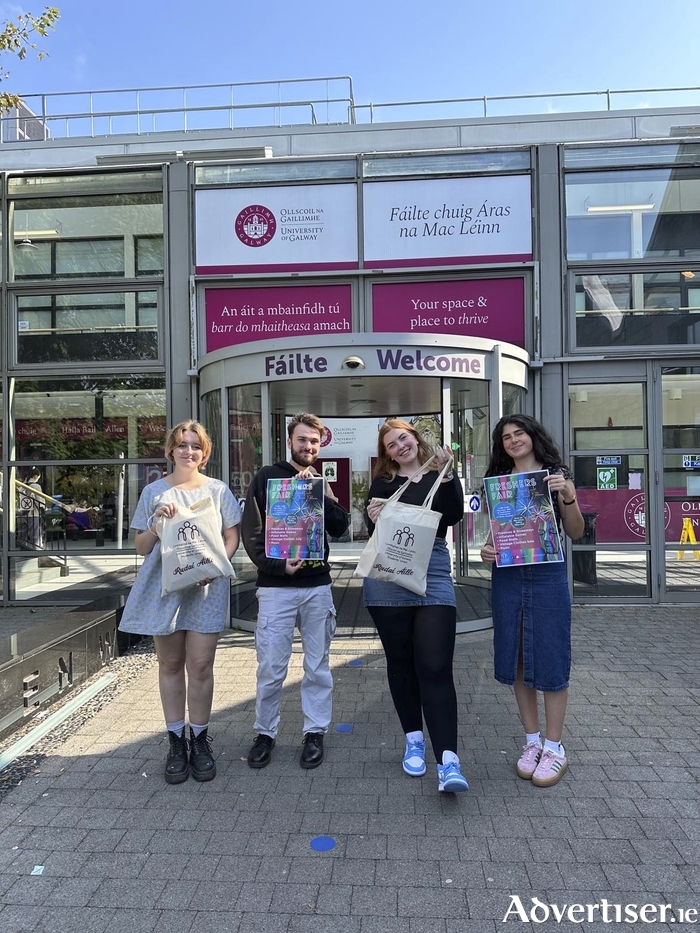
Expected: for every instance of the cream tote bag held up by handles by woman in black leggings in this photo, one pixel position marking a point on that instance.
(400, 548)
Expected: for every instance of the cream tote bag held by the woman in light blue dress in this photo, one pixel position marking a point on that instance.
(192, 547)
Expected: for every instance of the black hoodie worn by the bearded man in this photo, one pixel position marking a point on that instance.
(271, 569)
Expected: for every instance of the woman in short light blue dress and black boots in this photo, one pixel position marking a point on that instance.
(185, 624)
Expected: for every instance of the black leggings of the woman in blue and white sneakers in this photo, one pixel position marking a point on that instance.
(419, 644)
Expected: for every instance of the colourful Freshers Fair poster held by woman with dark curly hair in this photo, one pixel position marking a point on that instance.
(523, 523)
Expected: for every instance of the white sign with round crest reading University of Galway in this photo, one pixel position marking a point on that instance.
(305, 226)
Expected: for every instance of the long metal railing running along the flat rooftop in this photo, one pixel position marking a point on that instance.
(289, 102)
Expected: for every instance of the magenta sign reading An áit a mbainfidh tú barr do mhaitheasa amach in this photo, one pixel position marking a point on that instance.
(240, 315)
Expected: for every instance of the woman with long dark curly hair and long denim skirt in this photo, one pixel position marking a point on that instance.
(531, 604)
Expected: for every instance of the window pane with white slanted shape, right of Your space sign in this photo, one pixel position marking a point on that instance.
(620, 309)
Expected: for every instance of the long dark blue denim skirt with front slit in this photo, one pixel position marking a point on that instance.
(537, 594)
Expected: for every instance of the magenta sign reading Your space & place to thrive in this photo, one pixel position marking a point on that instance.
(493, 308)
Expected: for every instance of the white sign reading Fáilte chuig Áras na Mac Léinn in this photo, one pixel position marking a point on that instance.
(447, 219)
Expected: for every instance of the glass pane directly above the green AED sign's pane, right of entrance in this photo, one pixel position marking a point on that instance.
(607, 417)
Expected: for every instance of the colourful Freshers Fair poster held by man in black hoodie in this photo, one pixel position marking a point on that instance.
(294, 520)
